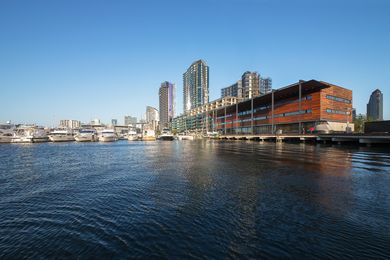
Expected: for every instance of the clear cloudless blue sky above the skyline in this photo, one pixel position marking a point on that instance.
(72, 59)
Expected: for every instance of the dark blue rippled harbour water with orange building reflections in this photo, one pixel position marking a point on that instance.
(193, 199)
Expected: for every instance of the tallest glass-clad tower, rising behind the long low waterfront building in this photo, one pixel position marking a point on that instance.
(195, 85)
